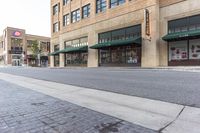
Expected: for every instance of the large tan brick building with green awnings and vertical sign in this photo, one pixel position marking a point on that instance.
(146, 33)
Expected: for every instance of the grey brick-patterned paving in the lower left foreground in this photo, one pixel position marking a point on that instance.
(26, 111)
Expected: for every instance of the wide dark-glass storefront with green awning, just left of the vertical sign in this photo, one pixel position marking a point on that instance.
(120, 47)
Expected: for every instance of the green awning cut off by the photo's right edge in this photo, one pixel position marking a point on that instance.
(181, 35)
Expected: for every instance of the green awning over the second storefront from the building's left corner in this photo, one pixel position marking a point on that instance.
(75, 49)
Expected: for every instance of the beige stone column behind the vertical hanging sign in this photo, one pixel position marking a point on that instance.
(150, 48)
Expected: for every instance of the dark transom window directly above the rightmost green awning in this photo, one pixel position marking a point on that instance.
(184, 24)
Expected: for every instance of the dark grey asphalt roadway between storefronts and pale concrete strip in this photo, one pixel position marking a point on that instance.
(165, 85)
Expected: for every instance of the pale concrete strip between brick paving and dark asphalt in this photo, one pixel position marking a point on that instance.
(148, 113)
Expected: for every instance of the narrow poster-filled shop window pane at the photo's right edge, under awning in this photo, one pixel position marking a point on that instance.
(194, 49)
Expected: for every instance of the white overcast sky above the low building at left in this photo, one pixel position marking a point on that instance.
(31, 15)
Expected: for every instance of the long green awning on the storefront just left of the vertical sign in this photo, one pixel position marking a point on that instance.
(136, 40)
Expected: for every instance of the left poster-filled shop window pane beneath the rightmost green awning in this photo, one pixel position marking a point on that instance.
(178, 51)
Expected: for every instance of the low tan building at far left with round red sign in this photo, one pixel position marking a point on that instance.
(16, 48)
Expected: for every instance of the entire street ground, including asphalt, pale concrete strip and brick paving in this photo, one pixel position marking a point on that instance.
(98, 100)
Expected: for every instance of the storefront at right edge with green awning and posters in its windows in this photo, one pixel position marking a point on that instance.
(184, 41)
